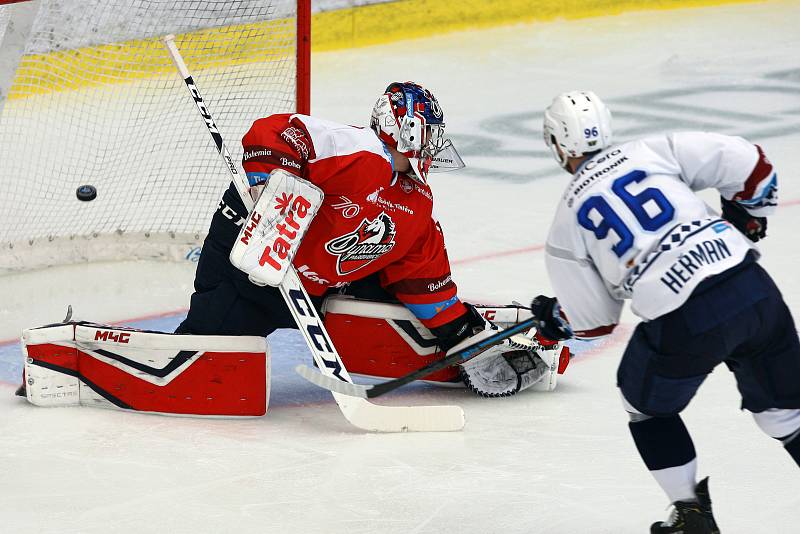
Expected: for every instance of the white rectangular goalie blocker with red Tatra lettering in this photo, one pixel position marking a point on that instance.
(271, 235)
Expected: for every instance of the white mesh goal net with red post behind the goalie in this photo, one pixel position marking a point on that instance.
(95, 99)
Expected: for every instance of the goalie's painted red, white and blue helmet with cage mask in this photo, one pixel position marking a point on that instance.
(408, 117)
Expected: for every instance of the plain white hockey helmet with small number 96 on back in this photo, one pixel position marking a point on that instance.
(577, 123)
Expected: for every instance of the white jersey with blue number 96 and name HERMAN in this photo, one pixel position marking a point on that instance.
(629, 225)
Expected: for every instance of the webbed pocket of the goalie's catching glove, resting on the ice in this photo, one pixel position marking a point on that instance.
(504, 370)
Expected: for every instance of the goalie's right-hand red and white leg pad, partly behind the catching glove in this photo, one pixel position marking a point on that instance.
(392, 342)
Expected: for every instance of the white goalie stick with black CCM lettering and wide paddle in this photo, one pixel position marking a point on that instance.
(358, 412)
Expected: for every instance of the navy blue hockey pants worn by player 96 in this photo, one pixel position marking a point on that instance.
(737, 317)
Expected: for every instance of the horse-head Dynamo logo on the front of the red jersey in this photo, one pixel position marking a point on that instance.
(371, 240)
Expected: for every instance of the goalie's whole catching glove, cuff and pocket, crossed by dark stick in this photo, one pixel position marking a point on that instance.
(509, 367)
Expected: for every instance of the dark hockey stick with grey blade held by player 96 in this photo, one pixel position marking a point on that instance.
(376, 390)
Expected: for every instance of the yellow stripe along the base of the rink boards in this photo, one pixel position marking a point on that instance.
(331, 30)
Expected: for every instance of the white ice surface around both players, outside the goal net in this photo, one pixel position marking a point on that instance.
(546, 463)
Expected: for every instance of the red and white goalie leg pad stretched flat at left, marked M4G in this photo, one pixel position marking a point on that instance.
(87, 364)
